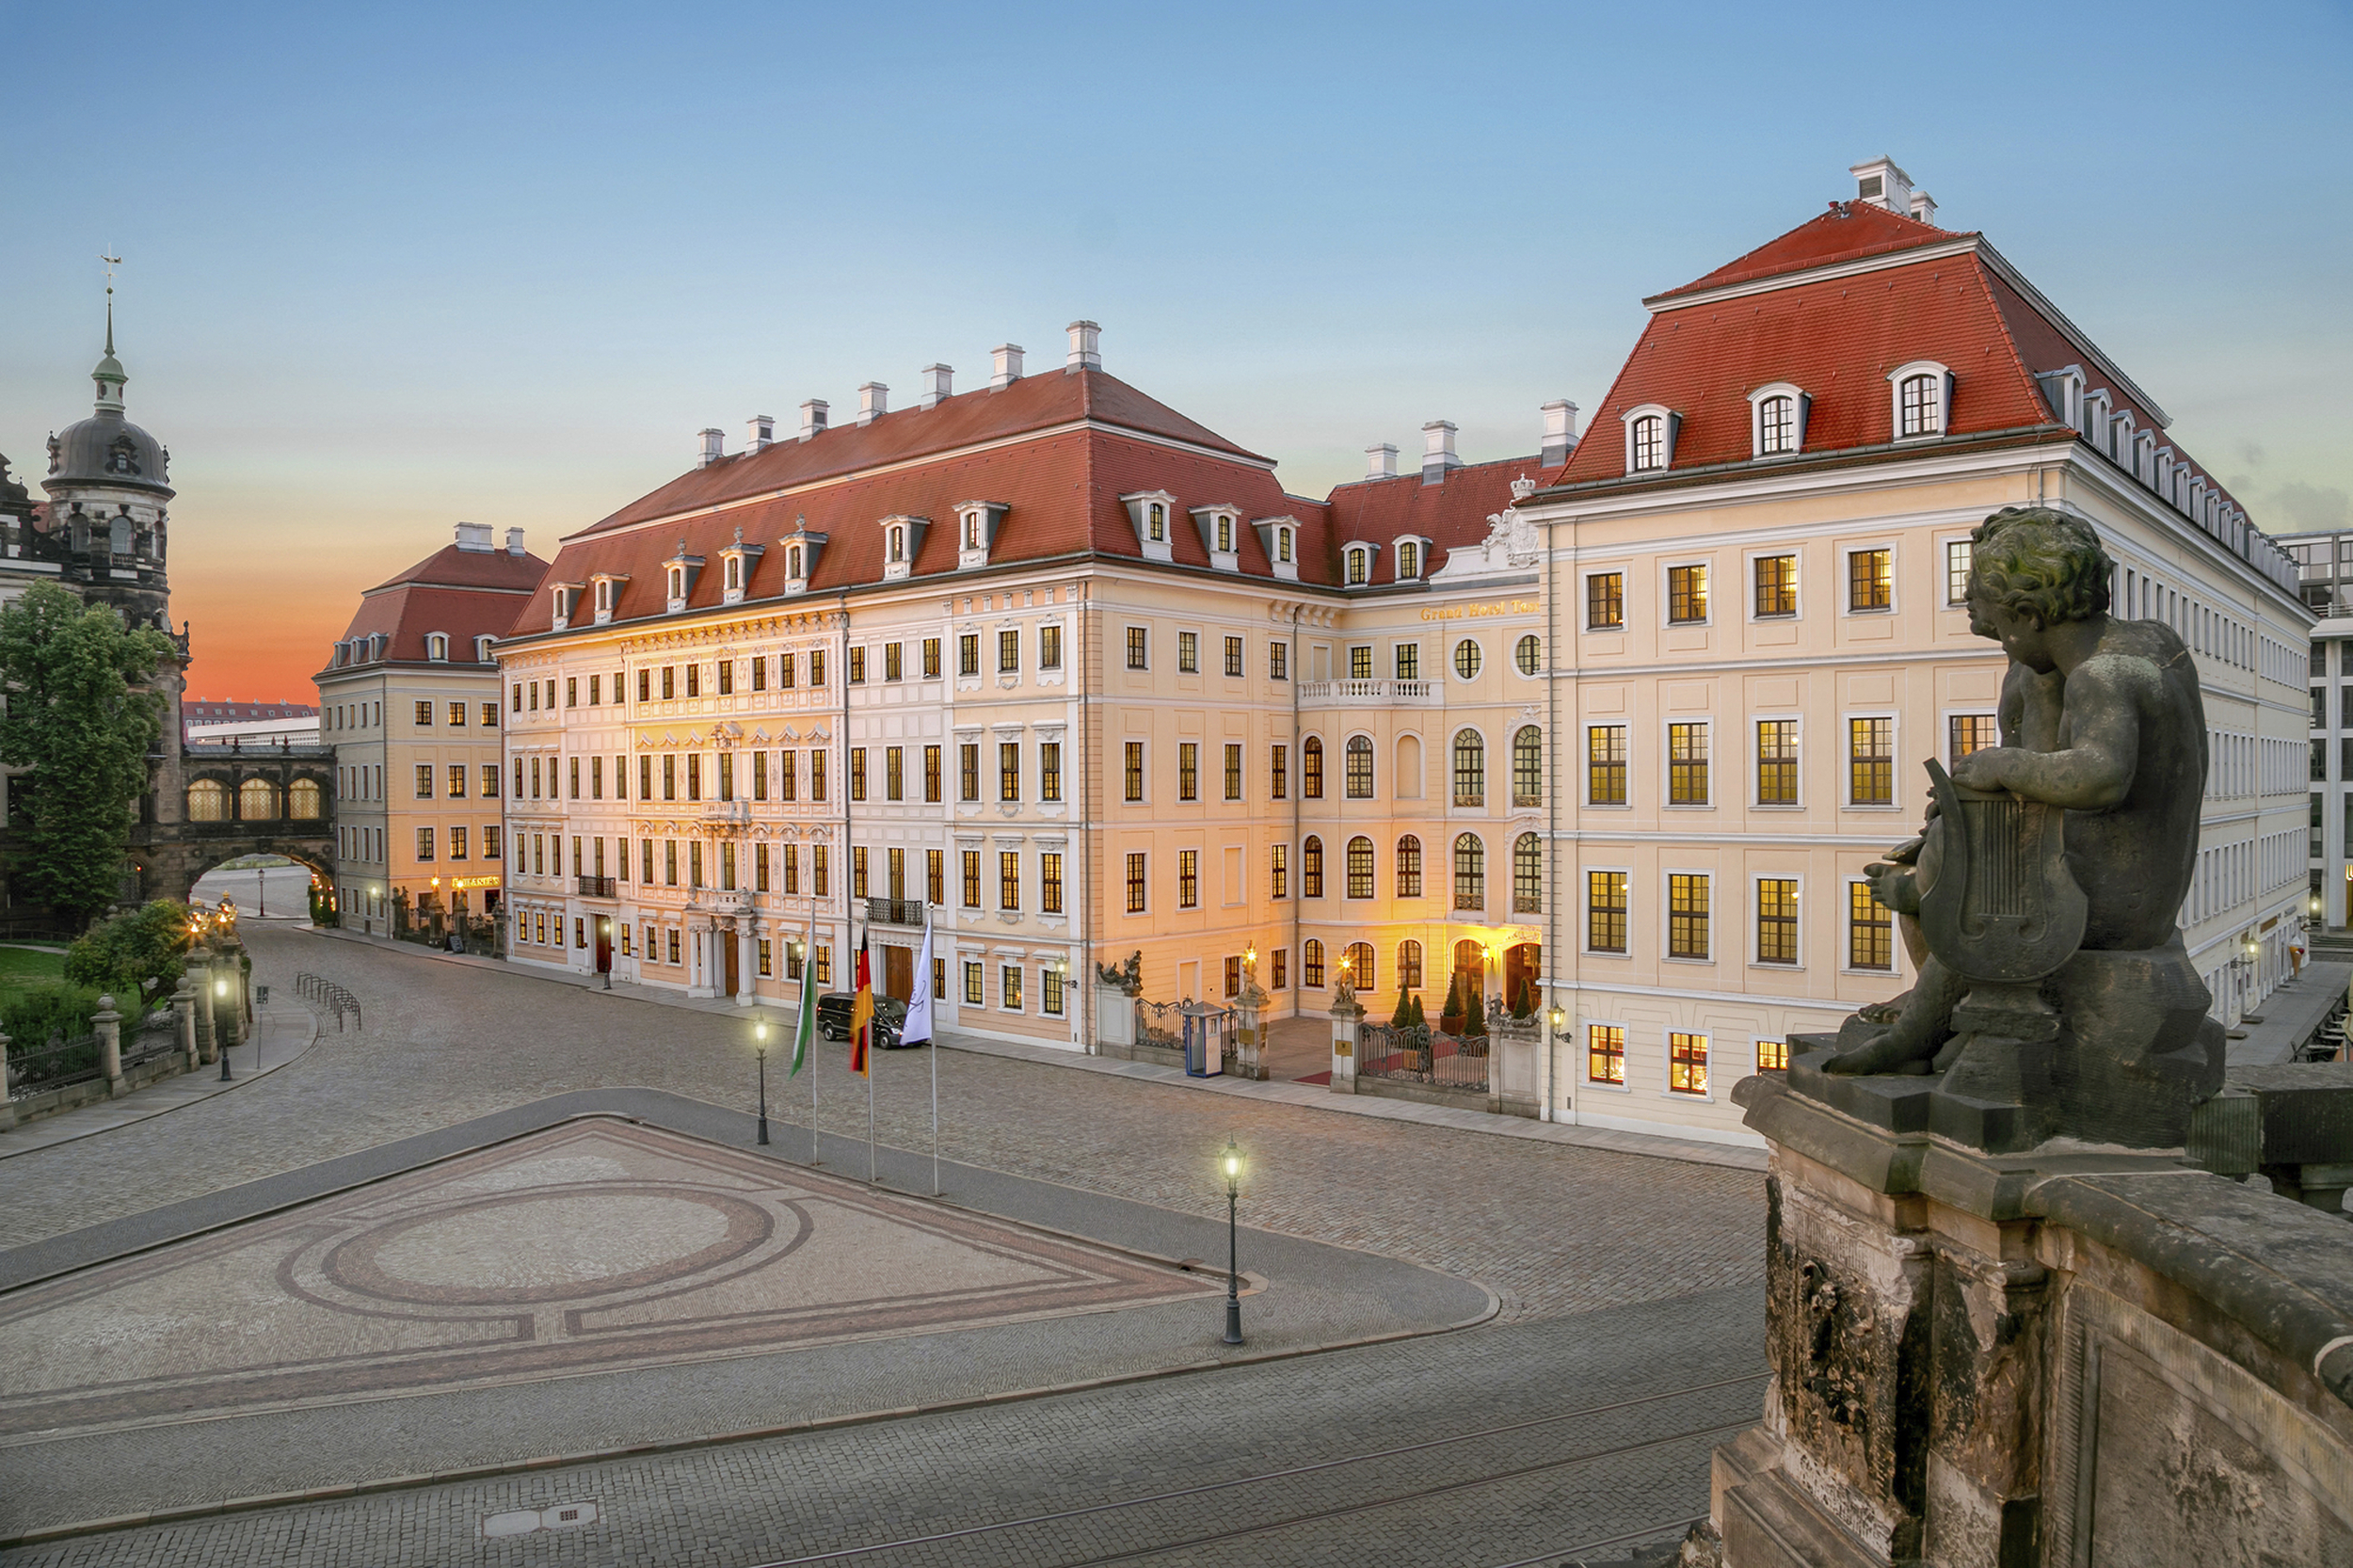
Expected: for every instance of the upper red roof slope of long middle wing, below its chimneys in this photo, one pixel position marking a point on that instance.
(1027, 406)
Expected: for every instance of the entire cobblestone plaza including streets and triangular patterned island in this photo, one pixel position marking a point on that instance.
(1613, 1298)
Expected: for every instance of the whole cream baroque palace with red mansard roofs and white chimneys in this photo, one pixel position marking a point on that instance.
(1613, 729)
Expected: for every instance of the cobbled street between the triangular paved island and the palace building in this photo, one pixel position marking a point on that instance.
(1554, 1230)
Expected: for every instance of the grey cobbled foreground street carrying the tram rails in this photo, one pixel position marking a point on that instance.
(1486, 1447)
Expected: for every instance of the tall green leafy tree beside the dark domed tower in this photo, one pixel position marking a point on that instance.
(81, 733)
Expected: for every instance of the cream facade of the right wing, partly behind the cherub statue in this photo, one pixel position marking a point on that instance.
(1837, 672)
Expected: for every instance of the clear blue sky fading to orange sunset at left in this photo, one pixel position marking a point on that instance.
(394, 267)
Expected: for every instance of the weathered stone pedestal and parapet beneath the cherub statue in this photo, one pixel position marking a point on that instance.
(2077, 1355)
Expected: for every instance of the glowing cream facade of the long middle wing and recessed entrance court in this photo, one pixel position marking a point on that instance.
(1067, 670)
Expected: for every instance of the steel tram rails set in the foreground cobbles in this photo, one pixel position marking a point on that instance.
(1298, 1473)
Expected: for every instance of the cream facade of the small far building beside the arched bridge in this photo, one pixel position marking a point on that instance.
(418, 792)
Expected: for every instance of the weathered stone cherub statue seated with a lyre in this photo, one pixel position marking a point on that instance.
(2041, 896)
